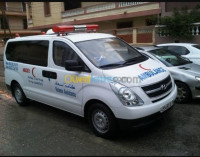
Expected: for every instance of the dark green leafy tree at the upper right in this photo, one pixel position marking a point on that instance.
(178, 26)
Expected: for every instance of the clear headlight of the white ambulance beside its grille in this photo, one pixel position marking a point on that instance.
(126, 95)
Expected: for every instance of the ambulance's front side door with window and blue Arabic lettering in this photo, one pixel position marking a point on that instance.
(67, 87)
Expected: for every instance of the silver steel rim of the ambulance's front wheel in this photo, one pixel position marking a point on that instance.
(100, 121)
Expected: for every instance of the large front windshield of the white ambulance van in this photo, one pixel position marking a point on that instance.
(109, 51)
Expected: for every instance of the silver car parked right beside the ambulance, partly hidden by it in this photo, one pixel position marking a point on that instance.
(185, 73)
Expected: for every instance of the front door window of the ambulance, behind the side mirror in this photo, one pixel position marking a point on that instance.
(63, 52)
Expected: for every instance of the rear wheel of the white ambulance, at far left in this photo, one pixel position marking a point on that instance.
(19, 95)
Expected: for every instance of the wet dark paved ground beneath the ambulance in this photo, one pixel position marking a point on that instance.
(42, 130)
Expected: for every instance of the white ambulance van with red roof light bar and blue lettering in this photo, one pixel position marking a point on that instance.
(93, 75)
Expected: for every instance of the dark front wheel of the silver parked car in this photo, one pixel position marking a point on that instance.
(184, 93)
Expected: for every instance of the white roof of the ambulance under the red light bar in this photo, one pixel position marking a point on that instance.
(74, 37)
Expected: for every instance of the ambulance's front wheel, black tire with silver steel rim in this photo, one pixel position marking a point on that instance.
(102, 121)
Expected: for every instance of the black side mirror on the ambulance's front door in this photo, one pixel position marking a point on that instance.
(72, 65)
